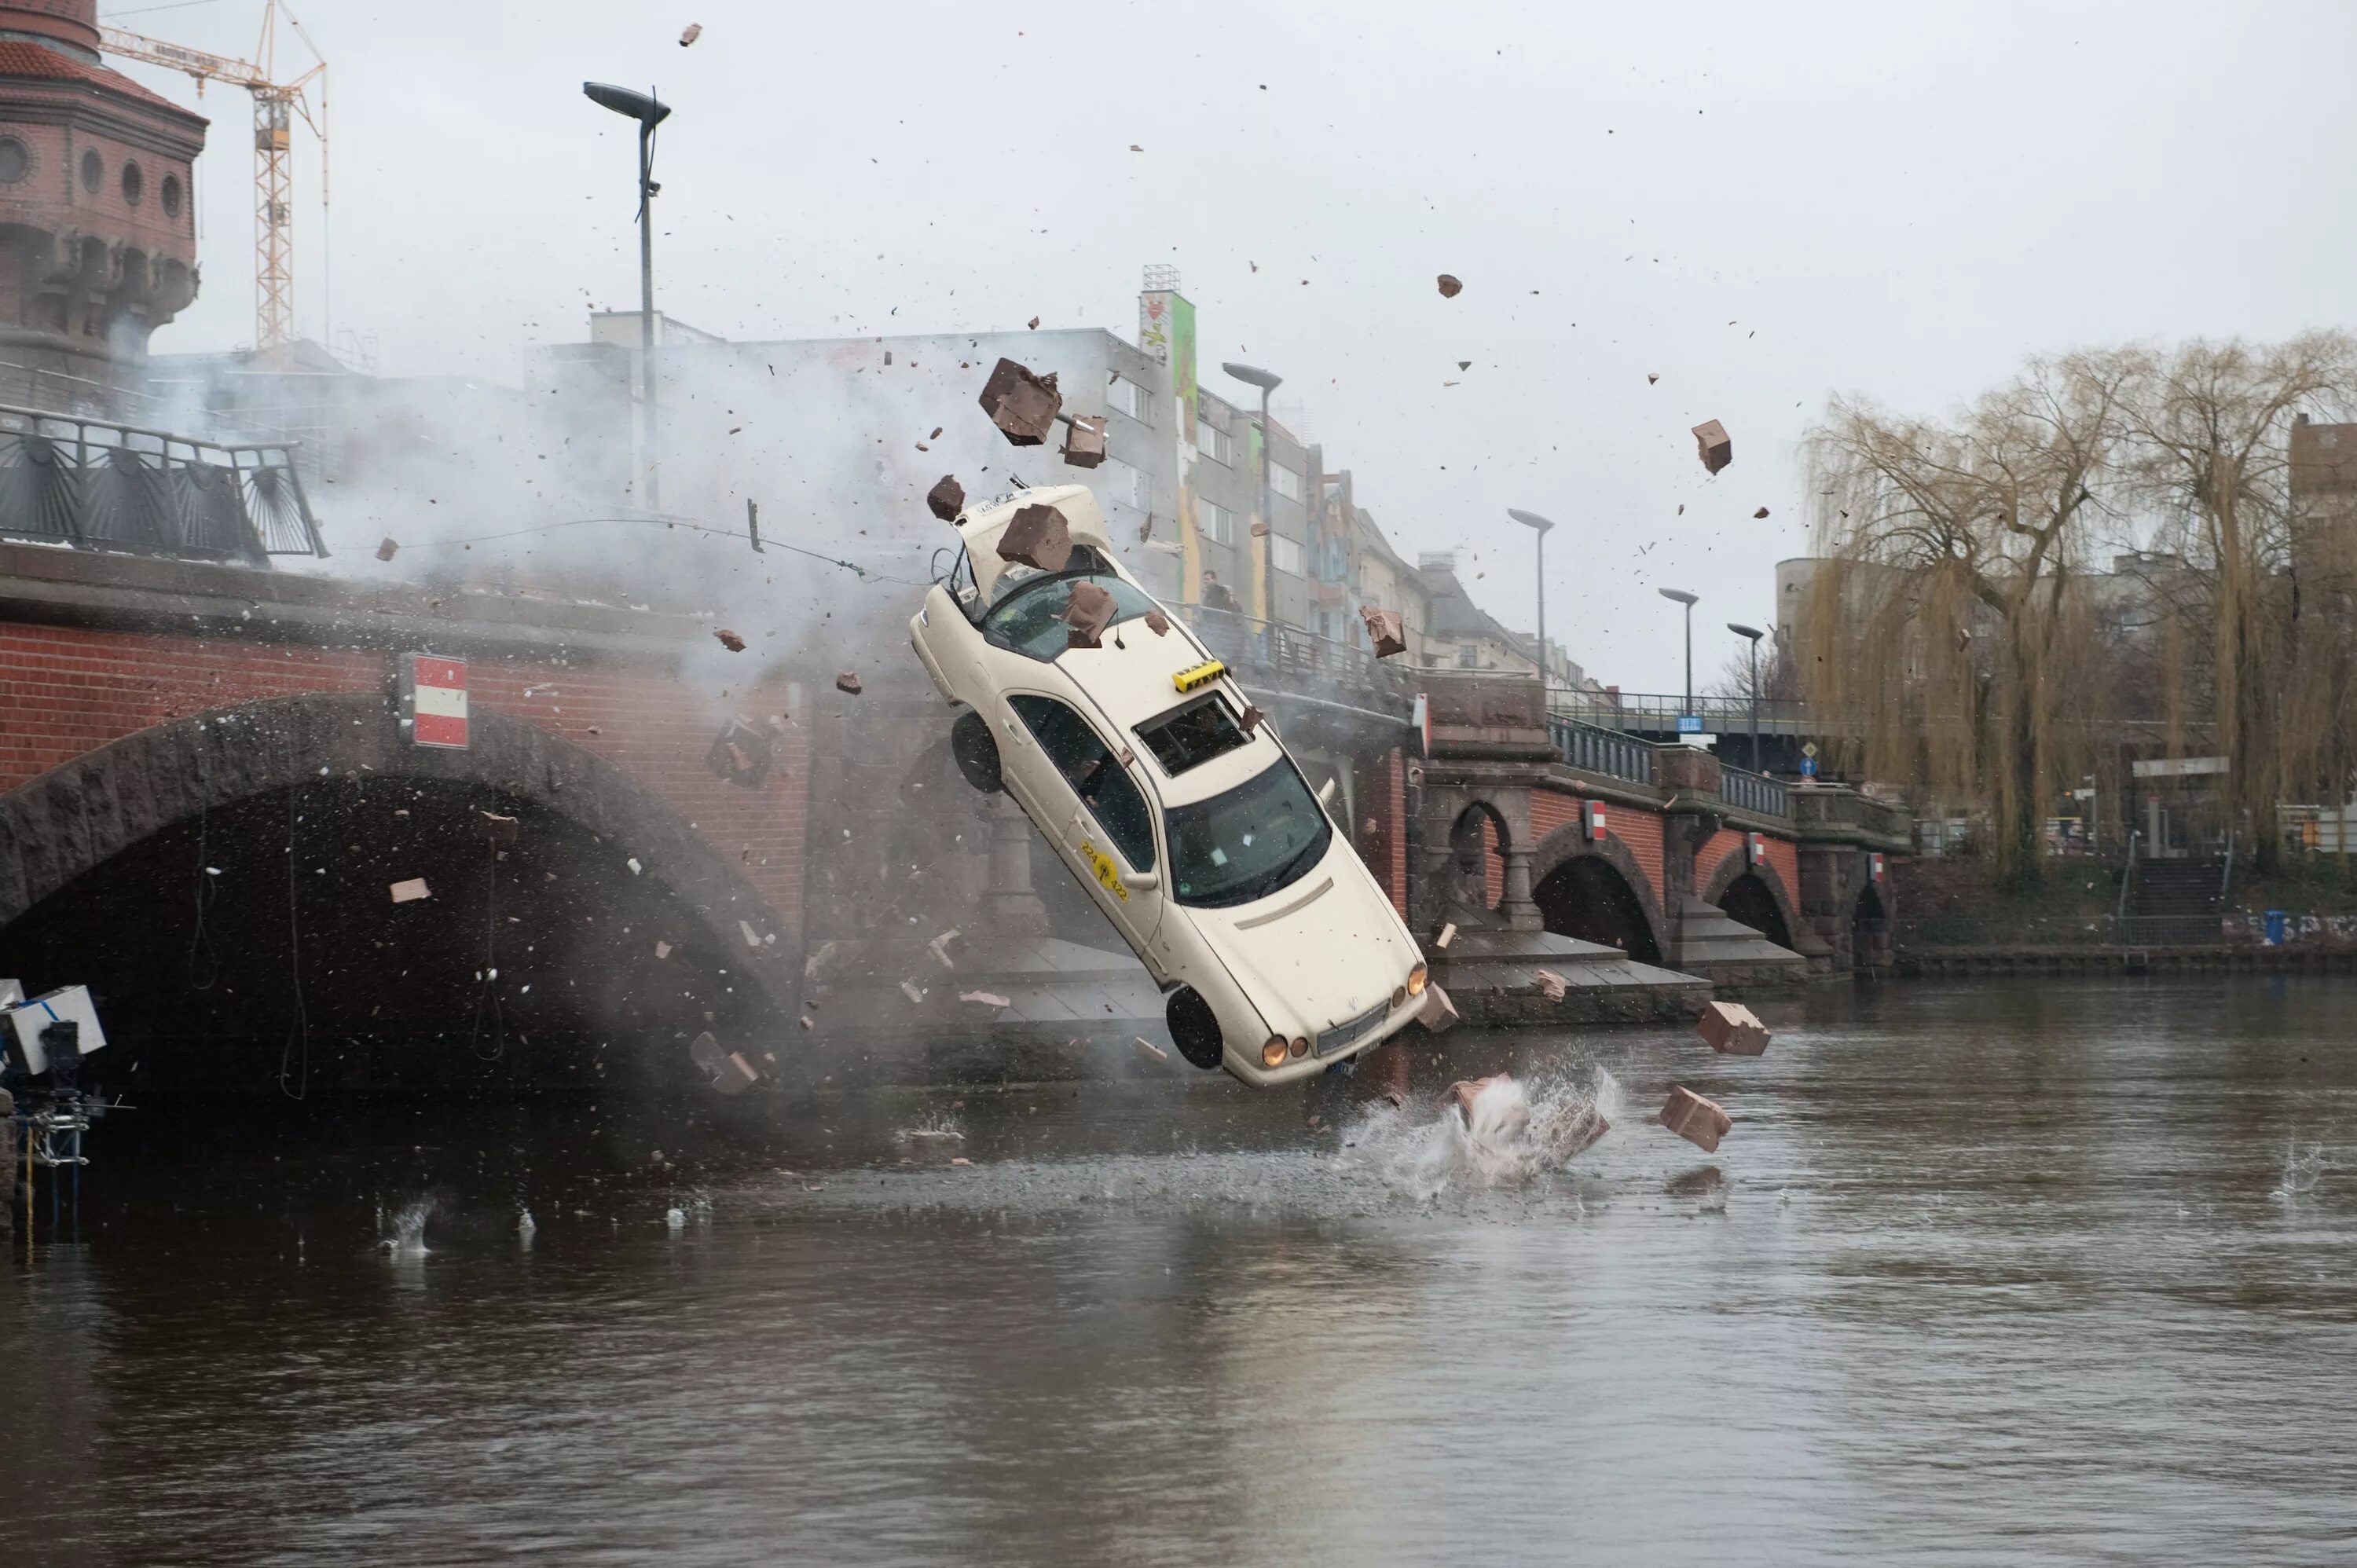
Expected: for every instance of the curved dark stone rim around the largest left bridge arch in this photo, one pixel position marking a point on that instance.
(74, 819)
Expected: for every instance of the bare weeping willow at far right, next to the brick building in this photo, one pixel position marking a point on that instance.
(2210, 452)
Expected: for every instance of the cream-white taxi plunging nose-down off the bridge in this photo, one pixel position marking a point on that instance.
(1276, 949)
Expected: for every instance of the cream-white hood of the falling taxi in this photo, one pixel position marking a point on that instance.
(1316, 954)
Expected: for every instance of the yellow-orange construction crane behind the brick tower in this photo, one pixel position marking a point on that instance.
(275, 136)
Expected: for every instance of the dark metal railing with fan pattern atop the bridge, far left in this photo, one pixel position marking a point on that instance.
(100, 485)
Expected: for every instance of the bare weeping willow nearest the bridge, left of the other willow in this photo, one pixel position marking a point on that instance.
(1946, 619)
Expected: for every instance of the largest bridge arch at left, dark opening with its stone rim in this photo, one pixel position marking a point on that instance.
(251, 944)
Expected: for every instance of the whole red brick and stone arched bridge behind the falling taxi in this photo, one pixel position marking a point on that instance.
(206, 793)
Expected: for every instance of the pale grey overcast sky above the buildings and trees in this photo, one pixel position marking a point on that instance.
(1760, 204)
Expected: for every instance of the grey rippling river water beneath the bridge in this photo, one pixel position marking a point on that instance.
(1983, 1274)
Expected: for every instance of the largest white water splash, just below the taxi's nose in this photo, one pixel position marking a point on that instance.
(1507, 1133)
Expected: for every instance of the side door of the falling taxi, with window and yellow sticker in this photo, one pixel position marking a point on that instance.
(1107, 819)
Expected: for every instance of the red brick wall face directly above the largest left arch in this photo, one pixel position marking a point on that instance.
(70, 690)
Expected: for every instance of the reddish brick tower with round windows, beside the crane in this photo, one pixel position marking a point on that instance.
(98, 216)
